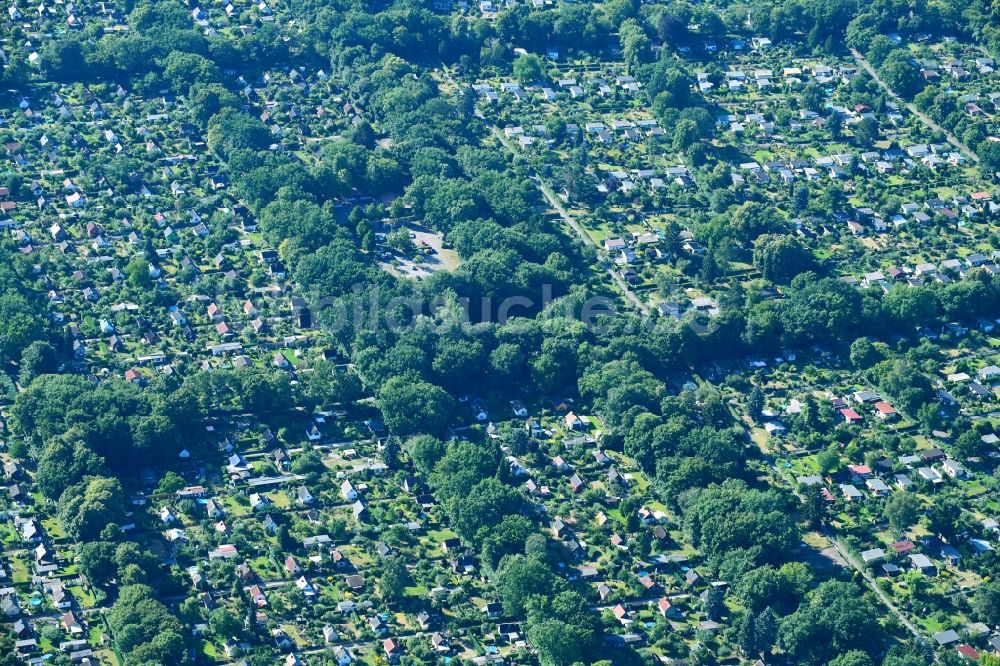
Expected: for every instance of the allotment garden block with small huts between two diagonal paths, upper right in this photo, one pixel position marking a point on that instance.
(851, 171)
